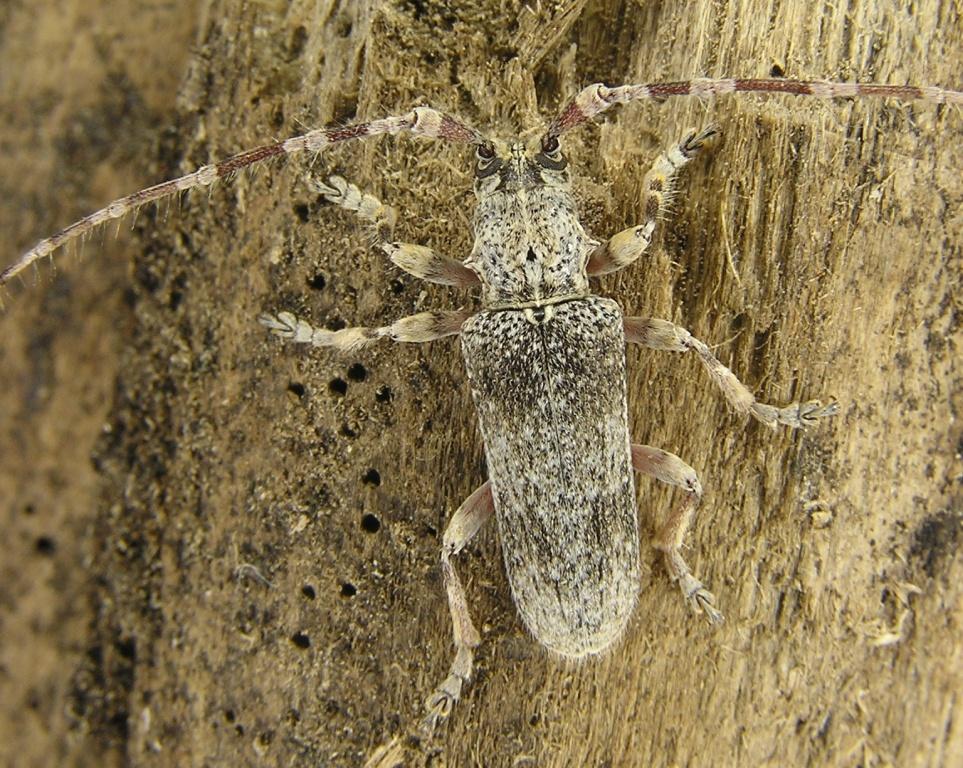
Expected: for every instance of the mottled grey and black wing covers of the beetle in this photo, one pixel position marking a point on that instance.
(551, 402)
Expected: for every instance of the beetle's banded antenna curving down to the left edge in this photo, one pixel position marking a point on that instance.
(421, 121)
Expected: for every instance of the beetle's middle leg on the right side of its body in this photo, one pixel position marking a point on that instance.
(663, 335)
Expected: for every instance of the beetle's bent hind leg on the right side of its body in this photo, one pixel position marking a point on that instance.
(668, 468)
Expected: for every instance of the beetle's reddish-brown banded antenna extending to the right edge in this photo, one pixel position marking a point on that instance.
(597, 98)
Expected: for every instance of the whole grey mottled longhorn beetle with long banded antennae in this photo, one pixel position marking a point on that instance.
(545, 360)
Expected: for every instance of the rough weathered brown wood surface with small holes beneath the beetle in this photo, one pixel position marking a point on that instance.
(819, 247)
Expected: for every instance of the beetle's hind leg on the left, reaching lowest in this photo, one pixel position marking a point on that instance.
(462, 527)
